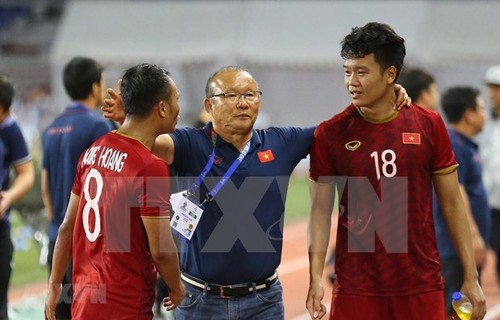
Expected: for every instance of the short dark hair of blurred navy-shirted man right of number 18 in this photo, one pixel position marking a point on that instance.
(456, 100)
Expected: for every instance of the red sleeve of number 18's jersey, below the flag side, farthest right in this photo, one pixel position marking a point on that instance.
(444, 157)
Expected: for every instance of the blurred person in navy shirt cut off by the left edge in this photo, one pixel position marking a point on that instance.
(14, 154)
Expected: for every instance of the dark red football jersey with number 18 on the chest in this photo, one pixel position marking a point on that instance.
(385, 240)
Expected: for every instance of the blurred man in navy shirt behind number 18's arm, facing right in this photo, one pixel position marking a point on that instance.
(465, 112)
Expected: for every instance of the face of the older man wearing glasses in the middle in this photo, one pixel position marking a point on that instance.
(233, 116)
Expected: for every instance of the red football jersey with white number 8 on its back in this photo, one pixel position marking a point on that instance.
(118, 181)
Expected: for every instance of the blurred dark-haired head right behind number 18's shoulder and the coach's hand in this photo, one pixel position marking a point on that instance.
(421, 87)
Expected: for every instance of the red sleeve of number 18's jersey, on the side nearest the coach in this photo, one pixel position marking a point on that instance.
(320, 168)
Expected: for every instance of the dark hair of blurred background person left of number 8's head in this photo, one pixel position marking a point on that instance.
(79, 74)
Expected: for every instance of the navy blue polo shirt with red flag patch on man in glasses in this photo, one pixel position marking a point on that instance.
(239, 237)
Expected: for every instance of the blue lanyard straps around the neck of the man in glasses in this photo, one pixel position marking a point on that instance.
(236, 163)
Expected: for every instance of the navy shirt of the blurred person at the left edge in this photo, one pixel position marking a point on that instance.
(13, 151)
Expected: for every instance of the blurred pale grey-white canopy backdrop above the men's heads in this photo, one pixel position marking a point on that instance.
(291, 47)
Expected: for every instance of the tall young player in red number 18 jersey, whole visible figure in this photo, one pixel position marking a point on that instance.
(383, 164)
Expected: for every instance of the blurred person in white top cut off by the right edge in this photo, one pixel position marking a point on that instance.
(489, 142)
